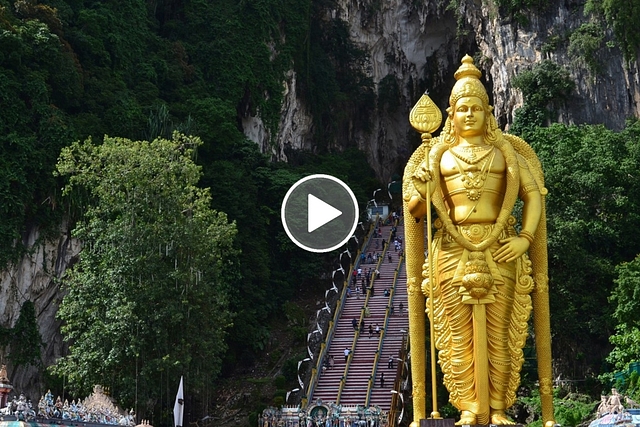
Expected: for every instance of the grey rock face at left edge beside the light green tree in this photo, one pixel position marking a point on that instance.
(34, 279)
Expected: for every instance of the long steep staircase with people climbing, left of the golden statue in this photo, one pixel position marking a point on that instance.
(364, 367)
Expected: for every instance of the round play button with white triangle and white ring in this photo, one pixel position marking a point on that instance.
(319, 213)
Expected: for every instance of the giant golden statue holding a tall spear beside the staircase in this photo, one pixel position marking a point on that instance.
(481, 278)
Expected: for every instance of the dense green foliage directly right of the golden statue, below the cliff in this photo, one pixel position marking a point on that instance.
(593, 212)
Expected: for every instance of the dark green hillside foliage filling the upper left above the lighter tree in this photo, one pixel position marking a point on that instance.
(73, 69)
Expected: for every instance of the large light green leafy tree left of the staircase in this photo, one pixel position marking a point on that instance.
(148, 299)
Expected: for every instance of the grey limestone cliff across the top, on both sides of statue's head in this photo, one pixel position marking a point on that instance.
(417, 44)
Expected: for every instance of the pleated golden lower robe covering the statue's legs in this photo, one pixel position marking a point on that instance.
(508, 307)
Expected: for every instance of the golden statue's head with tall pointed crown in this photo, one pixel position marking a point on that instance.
(469, 94)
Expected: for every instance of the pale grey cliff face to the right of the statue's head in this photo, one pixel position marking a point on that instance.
(608, 97)
